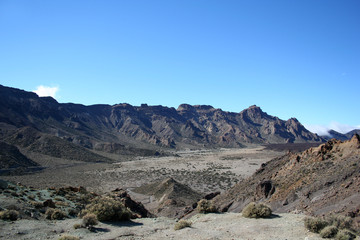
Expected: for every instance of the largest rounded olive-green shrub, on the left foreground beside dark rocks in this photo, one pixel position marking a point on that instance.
(107, 209)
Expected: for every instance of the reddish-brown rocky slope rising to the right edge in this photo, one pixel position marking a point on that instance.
(320, 180)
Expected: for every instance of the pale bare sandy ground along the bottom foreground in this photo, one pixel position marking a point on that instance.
(205, 226)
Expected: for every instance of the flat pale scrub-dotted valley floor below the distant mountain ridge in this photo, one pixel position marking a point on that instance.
(203, 170)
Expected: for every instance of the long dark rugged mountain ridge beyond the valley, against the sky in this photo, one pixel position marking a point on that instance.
(124, 128)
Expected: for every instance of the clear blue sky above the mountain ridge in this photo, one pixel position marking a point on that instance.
(292, 58)
